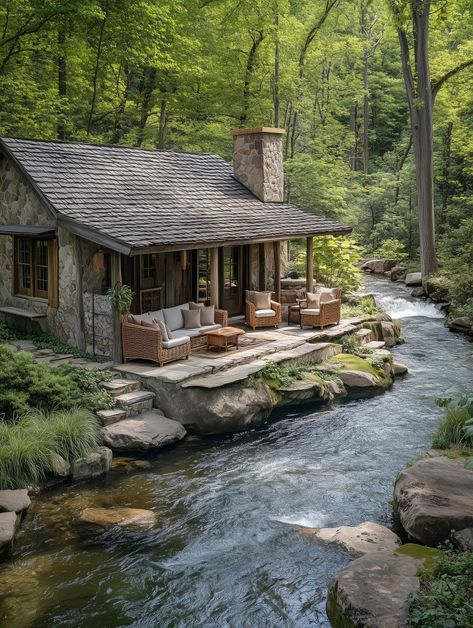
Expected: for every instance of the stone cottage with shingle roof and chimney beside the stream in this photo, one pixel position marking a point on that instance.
(77, 218)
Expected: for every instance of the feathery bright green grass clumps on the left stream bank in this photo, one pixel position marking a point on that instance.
(29, 448)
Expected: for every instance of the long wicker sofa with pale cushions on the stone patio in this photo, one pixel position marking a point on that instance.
(147, 343)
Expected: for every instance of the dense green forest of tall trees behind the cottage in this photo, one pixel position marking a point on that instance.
(370, 92)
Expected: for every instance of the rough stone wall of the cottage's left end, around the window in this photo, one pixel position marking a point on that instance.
(19, 204)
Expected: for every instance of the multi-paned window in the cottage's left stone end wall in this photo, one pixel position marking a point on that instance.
(32, 272)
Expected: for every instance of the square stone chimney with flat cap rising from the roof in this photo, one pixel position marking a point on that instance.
(258, 162)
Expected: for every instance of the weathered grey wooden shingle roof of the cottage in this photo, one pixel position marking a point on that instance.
(143, 199)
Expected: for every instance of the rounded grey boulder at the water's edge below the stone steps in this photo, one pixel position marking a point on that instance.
(142, 433)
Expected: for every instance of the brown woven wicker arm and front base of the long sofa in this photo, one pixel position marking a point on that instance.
(146, 343)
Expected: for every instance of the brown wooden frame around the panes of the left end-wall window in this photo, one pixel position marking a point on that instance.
(51, 294)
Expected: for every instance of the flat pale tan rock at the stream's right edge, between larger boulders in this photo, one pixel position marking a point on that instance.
(362, 539)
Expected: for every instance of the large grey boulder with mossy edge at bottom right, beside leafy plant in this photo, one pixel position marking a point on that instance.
(373, 591)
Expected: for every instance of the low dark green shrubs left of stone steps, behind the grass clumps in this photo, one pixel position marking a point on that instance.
(25, 385)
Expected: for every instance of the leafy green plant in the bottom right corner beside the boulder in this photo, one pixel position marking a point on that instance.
(446, 593)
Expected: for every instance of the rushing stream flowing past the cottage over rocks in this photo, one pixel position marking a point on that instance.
(228, 550)
